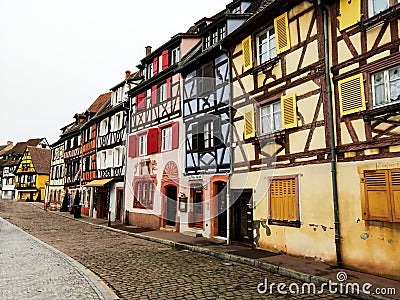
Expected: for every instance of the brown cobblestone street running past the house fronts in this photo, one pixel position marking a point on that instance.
(139, 269)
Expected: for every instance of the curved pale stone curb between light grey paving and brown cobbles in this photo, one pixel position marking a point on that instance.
(97, 284)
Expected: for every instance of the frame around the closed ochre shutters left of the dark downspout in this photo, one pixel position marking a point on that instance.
(272, 219)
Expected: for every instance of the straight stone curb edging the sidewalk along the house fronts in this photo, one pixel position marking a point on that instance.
(307, 278)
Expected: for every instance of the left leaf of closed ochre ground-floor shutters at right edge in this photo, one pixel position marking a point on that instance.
(377, 203)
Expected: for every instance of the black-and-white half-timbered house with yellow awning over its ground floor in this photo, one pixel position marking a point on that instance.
(110, 152)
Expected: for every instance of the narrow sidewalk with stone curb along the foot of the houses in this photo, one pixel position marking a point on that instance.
(303, 269)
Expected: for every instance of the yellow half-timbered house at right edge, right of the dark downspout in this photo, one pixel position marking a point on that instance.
(366, 85)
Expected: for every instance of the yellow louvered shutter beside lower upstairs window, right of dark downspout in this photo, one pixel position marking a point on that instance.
(351, 95)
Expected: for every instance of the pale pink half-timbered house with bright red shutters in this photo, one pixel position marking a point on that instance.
(155, 134)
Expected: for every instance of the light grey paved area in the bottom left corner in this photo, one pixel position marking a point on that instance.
(31, 269)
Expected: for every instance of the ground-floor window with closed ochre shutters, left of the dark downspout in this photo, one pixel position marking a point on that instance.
(284, 201)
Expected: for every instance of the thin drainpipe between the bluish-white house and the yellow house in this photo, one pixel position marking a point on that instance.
(231, 149)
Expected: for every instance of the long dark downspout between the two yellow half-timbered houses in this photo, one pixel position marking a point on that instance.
(332, 137)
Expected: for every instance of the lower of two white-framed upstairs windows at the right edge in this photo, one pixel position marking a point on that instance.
(386, 86)
